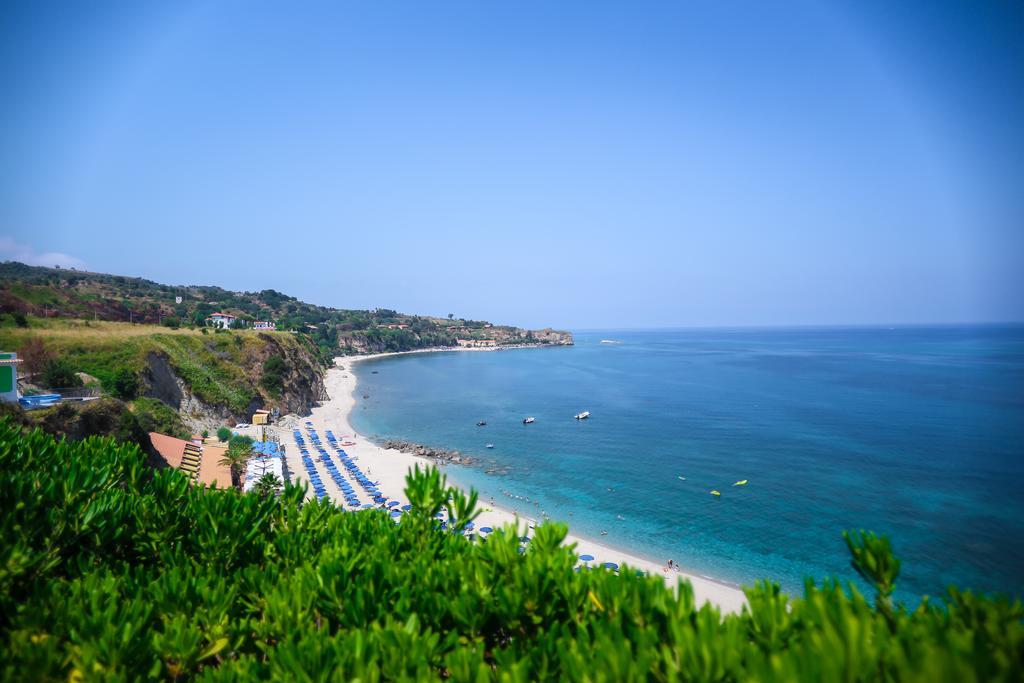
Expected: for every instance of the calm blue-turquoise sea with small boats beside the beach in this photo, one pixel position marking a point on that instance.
(917, 433)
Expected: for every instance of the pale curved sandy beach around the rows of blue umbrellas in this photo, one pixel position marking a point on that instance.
(390, 468)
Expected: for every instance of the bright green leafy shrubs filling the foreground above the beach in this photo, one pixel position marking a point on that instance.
(111, 571)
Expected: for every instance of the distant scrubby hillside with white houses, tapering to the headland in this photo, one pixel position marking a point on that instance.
(72, 294)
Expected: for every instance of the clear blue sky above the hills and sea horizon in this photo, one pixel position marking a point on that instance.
(574, 164)
